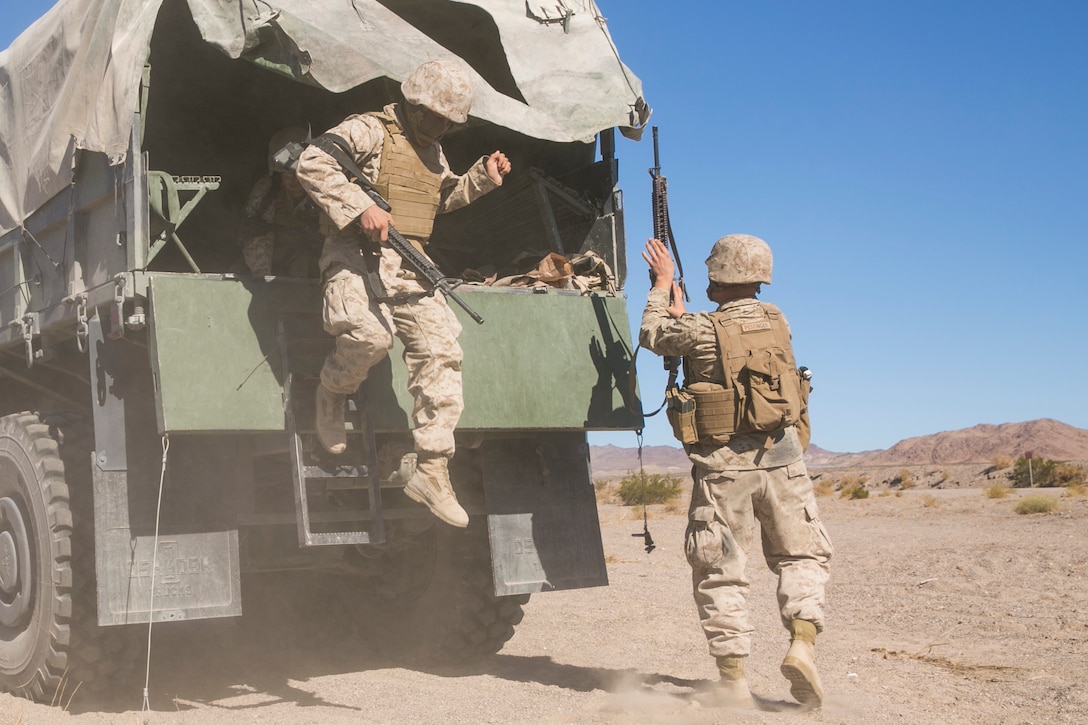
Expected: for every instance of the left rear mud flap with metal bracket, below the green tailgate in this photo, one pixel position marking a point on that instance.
(194, 572)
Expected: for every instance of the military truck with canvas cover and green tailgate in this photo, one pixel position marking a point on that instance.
(157, 456)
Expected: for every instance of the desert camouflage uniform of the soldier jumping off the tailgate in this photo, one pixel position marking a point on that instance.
(364, 327)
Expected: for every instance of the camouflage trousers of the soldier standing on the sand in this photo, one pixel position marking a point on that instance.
(796, 546)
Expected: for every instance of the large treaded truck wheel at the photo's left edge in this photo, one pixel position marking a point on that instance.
(35, 559)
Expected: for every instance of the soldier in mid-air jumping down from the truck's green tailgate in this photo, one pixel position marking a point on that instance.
(400, 153)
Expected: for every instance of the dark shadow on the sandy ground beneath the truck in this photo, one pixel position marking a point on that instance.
(241, 667)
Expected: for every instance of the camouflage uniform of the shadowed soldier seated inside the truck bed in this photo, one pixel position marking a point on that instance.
(278, 235)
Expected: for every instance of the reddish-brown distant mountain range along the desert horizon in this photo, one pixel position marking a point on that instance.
(1044, 438)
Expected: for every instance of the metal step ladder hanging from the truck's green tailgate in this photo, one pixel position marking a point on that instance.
(340, 496)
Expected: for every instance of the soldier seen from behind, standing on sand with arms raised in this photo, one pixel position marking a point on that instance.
(747, 453)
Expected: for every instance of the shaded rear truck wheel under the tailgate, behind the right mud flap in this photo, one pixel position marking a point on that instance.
(441, 597)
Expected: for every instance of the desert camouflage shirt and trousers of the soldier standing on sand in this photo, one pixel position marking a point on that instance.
(736, 484)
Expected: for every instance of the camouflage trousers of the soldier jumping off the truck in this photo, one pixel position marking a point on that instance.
(428, 328)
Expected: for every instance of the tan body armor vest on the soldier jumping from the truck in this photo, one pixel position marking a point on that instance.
(407, 183)
